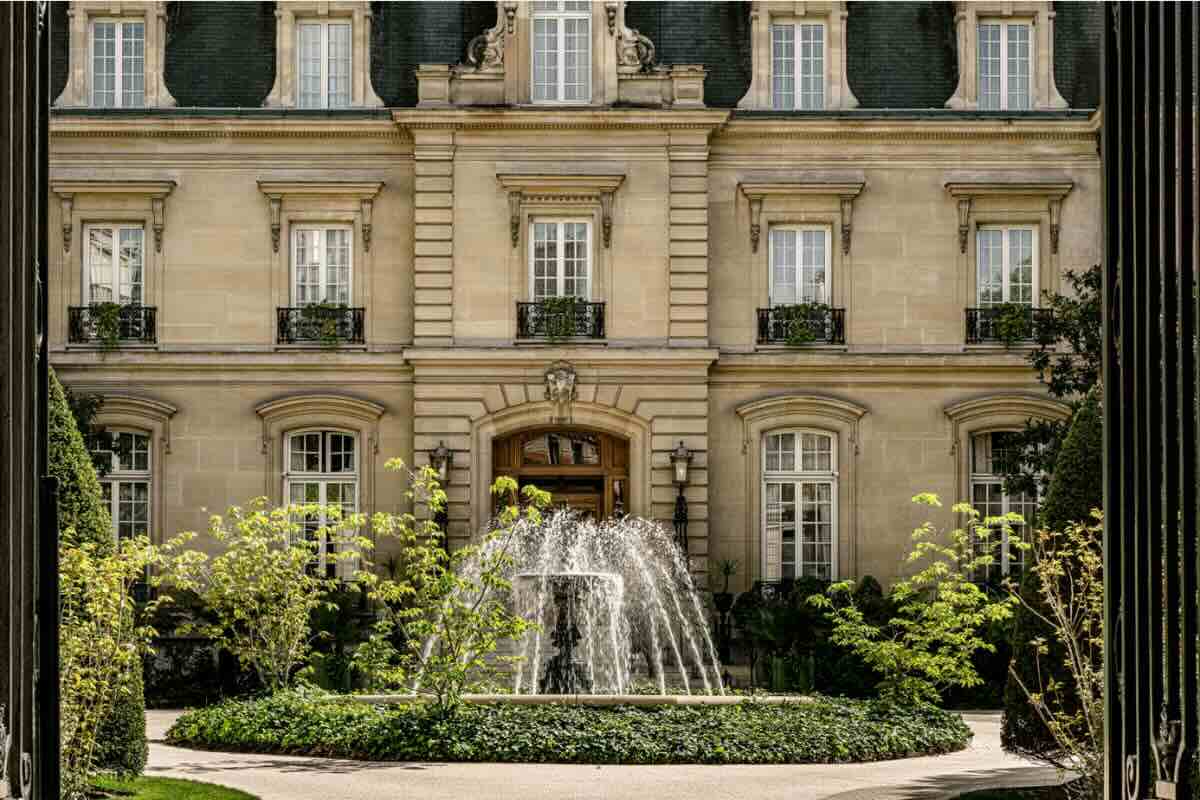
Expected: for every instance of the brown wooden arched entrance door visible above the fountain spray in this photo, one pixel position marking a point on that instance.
(583, 468)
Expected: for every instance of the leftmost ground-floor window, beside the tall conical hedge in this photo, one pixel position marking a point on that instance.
(125, 488)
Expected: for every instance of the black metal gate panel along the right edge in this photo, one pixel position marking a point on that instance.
(1151, 400)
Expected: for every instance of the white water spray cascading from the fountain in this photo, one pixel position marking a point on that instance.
(614, 600)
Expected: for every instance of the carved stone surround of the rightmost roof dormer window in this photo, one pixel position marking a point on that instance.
(967, 22)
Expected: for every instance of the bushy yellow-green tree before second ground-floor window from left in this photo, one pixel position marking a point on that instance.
(265, 588)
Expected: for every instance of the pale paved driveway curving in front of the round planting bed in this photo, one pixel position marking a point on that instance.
(283, 778)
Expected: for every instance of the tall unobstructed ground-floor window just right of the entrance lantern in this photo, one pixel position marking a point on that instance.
(801, 504)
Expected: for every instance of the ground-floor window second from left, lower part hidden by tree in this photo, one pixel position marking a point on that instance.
(322, 468)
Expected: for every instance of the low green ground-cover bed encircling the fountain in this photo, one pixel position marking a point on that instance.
(821, 732)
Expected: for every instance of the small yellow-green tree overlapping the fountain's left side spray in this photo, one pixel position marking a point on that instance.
(445, 615)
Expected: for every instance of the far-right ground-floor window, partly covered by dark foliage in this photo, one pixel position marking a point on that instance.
(991, 455)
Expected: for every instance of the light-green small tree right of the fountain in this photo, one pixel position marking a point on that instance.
(940, 615)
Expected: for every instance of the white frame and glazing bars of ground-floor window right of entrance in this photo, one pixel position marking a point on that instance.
(799, 477)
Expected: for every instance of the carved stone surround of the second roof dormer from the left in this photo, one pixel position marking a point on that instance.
(358, 13)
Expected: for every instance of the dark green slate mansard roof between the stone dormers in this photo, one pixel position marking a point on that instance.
(901, 56)
